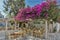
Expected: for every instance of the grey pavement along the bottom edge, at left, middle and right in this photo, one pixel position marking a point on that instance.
(51, 36)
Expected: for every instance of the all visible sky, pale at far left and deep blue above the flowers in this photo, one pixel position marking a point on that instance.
(28, 2)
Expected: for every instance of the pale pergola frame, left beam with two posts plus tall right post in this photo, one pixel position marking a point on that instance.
(6, 21)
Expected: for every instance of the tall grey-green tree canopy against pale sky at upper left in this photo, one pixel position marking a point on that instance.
(11, 7)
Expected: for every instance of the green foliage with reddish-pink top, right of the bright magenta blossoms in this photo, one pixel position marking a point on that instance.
(53, 11)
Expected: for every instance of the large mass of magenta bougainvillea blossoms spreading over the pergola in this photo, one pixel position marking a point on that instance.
(42, 10)
